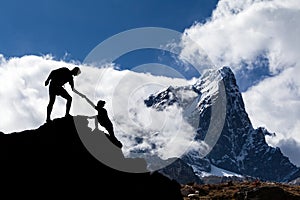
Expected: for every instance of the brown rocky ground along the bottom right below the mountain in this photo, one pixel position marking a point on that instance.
(241, 191)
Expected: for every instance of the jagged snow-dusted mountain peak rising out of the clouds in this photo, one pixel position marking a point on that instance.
(222, 122)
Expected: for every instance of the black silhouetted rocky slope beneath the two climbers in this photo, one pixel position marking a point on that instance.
(52, 160)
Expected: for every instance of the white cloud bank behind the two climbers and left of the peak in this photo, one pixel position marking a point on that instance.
(24, 100)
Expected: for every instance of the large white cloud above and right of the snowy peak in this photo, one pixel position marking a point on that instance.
(244, 33)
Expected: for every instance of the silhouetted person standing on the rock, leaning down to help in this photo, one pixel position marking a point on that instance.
(57, 79)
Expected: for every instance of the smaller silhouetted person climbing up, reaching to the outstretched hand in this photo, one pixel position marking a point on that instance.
(102, 118)
